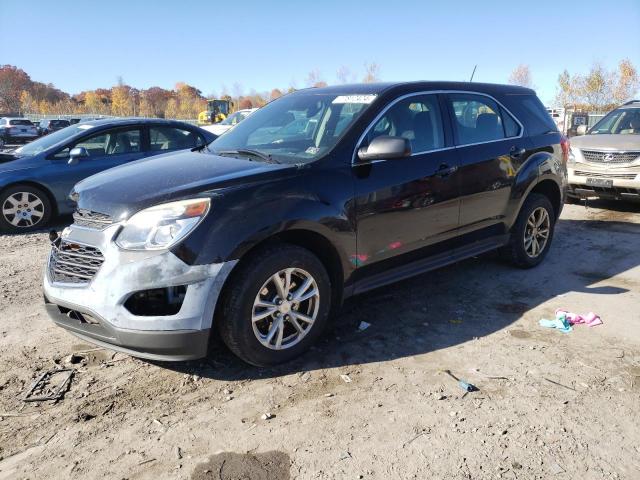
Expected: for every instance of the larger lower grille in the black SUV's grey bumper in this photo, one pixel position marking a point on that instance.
(72, 262)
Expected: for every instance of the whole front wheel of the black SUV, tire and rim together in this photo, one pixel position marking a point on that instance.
(254, 282)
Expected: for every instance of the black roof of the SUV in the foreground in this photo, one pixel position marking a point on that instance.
(379, 88)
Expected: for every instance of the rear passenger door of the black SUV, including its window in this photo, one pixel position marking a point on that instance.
(490, 149)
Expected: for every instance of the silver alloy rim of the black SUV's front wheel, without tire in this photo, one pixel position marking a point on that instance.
(285, 308)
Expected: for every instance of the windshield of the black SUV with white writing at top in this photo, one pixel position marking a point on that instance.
(295, 128)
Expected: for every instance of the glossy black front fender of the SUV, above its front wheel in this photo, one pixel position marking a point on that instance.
(243, 218)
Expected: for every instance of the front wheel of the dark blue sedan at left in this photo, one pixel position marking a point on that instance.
(24, 208)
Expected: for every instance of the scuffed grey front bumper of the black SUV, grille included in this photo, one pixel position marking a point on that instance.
(148, 304)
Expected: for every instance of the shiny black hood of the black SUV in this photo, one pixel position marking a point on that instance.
(124, 190)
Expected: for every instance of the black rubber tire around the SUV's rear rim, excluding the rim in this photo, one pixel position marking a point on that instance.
(517, 250)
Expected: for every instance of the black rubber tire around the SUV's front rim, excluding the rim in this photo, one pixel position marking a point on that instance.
(235, 325)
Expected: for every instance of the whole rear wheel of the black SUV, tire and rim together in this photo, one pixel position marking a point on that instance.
(524, 254)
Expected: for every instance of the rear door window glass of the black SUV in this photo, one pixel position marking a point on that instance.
(477, 118)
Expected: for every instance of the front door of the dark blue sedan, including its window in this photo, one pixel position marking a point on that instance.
(107, 149)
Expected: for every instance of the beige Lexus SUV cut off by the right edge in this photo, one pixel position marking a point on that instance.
(605, 161)
